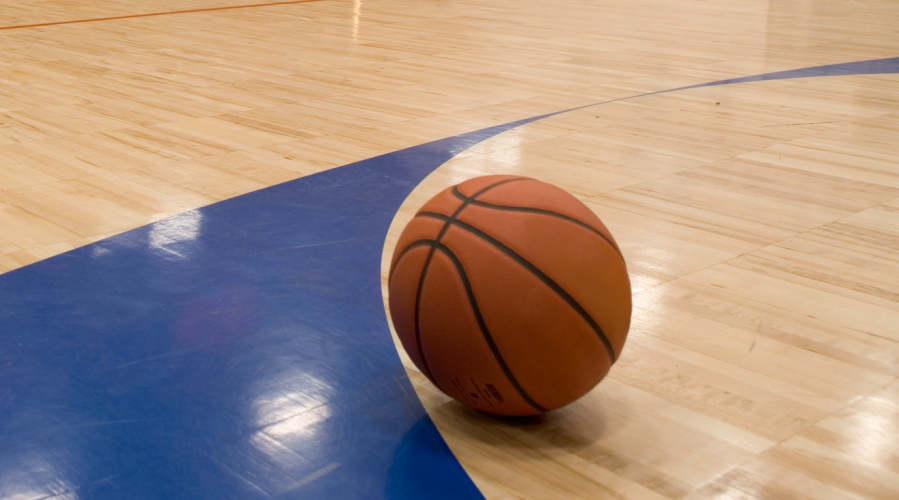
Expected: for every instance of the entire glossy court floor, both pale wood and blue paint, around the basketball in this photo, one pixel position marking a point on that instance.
(242, 350)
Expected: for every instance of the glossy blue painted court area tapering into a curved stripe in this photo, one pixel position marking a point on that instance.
(236, 351)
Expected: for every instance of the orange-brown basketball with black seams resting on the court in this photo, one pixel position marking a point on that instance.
(510, 295)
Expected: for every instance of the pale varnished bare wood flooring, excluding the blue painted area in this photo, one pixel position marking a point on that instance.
(760, 221)
